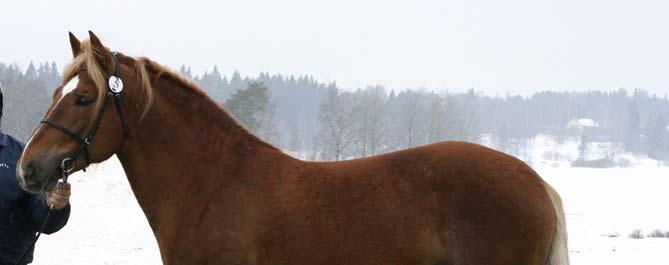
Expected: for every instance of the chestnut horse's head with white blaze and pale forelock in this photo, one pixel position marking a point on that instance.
(80, 104)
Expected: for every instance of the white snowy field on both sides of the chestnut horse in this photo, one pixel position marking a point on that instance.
(604, 206)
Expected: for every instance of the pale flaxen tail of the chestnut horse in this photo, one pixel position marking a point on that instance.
(559, 254)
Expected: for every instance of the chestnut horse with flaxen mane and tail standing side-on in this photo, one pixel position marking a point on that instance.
(213, 193)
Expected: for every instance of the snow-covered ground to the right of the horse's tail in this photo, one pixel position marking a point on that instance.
(603, 203)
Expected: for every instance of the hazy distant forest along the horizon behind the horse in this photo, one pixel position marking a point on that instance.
(321, 121)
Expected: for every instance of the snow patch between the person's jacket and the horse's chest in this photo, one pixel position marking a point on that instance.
(106, 225)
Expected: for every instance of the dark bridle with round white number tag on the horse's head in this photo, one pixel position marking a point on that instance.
(113, 93)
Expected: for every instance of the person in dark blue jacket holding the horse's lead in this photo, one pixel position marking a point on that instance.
(22, 213)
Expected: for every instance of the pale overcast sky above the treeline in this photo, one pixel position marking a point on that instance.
(515, 46)
